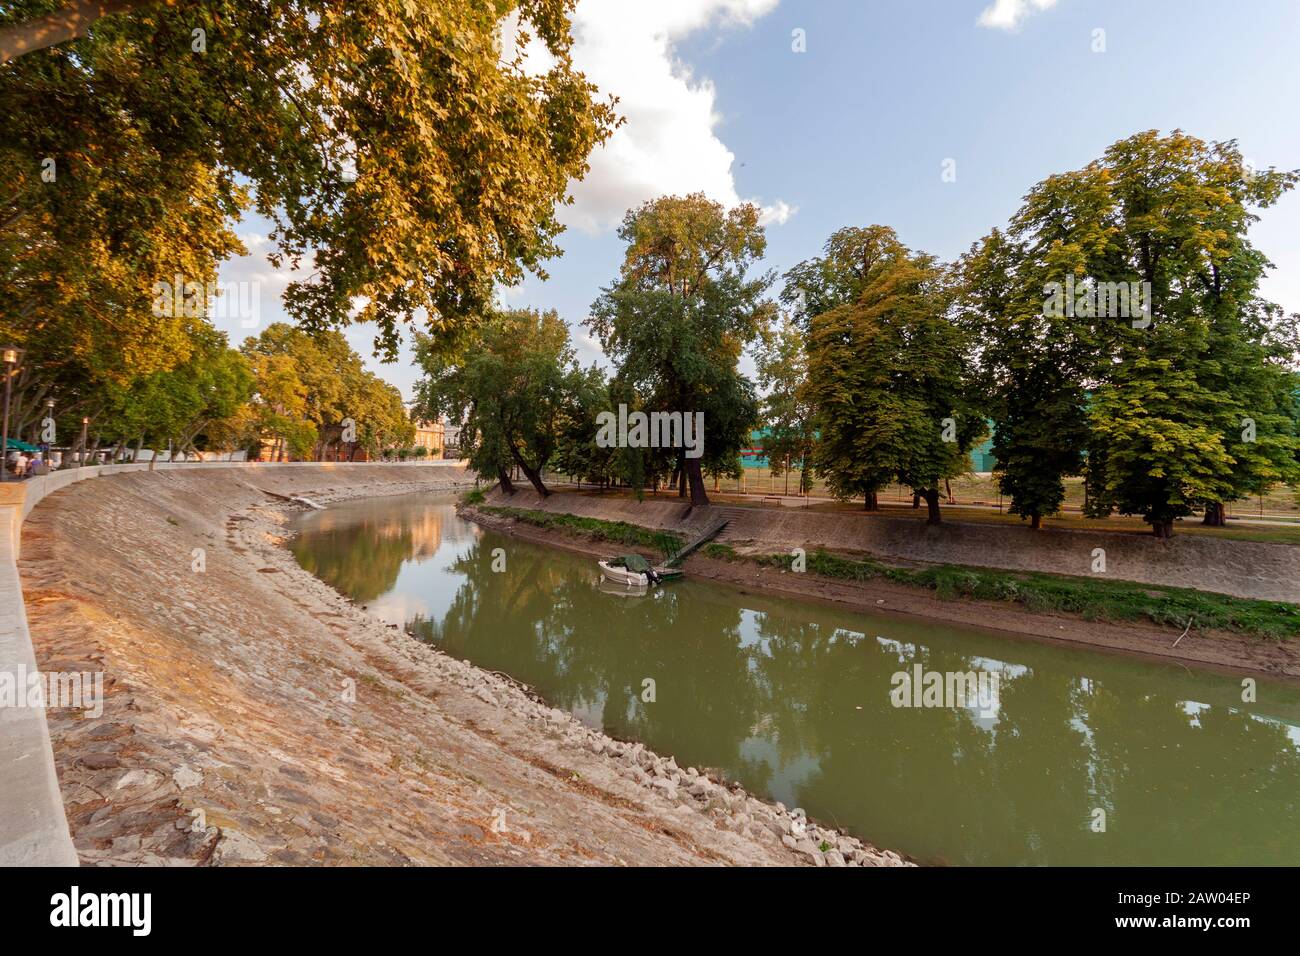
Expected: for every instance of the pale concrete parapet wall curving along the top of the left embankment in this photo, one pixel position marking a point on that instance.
(33, 827)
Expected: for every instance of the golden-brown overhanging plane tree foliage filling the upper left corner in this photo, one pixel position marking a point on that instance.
(408, 155)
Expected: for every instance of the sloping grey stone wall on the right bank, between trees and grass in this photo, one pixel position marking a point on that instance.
(1242, 569)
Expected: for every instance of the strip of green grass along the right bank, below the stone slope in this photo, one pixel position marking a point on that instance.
(1091, 599)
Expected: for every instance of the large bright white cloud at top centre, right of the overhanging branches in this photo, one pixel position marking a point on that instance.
(669, 144)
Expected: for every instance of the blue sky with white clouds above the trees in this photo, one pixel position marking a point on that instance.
(829, 114)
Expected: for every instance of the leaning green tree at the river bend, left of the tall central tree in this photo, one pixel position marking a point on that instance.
(512, 390)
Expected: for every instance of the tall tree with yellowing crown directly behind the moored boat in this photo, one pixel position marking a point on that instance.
(681, 314)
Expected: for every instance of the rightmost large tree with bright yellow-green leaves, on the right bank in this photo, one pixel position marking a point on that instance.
(1176, 387)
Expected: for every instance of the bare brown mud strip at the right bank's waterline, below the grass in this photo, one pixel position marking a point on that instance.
(1208, 648)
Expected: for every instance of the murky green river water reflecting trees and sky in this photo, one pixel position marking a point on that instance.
(799, 703)
